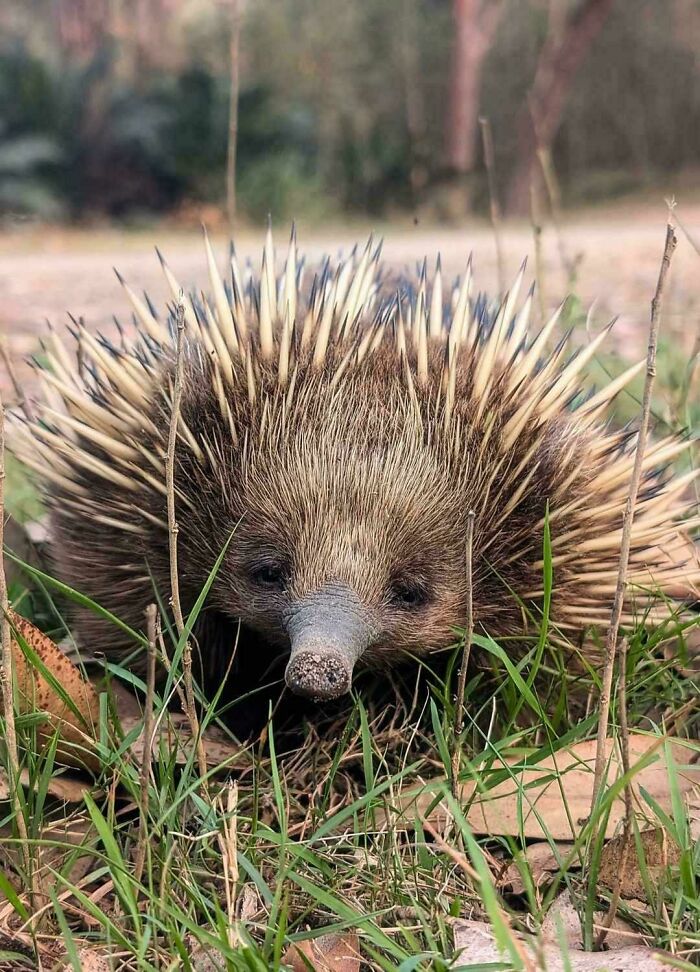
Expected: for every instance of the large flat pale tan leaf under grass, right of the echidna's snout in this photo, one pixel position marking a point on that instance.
(553, 797)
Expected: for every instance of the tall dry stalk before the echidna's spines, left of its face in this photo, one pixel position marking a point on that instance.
(190, 702)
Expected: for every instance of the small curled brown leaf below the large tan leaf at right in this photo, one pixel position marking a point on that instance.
(660, 853)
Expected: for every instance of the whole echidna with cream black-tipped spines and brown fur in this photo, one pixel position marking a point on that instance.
(333, 440)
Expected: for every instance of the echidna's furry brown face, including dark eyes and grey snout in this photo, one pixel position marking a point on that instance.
(349, 540)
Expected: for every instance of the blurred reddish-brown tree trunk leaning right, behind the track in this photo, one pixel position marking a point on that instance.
(563, 53)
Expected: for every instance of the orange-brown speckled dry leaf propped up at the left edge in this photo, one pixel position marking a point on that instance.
(75, 728)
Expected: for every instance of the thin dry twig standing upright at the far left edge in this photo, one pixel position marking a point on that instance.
(7, 672)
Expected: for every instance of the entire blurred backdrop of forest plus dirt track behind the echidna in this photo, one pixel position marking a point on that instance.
(566, 123)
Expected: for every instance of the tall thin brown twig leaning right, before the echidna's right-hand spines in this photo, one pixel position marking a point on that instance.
(628, 518)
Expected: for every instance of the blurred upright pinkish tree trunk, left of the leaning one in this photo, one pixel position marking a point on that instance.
(475, 22)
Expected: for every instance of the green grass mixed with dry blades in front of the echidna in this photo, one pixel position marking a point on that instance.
(305, 850)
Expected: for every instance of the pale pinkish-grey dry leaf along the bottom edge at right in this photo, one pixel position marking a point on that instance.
(477, 946)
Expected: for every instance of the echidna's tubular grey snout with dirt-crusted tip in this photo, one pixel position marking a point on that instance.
(328, 631)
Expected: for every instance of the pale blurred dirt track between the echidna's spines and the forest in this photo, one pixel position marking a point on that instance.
(46, 273)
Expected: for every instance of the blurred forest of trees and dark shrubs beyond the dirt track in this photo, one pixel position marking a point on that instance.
(120, 109)
